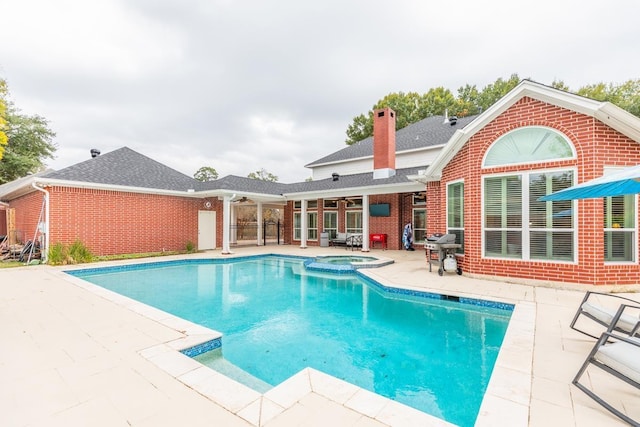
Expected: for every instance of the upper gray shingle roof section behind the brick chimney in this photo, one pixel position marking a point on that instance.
(428, 132)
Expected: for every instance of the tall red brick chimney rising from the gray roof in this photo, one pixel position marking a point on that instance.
(384, 143)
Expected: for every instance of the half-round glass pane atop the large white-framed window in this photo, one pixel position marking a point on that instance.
(530, 144)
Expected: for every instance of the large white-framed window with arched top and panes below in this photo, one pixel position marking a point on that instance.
(516, 224)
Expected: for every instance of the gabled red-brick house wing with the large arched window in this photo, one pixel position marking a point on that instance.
(535, 141)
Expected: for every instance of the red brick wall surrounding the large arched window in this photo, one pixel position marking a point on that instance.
(596, 146)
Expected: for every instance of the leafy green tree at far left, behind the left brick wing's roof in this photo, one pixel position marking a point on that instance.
(29, 143)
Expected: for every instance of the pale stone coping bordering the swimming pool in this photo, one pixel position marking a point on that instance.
(507, 396)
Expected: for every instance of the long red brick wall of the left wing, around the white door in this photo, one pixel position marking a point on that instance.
(111, 222)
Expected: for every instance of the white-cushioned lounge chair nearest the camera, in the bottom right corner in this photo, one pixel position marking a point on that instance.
(619, 356)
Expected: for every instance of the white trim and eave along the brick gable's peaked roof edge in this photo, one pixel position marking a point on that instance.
(611, 115)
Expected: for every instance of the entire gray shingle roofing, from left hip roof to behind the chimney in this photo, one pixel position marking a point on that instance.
(125, 167)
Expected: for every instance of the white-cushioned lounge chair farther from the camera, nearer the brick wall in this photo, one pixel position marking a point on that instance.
(608, 309)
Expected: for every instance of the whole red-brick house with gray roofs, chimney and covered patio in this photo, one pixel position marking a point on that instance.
(477, 177)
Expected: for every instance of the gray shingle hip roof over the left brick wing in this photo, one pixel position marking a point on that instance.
(127, 168)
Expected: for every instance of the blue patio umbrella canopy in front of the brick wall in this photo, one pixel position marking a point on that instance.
(626, 181)
